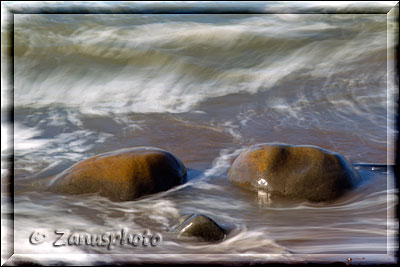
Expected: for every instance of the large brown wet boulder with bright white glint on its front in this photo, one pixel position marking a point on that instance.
(304, 172)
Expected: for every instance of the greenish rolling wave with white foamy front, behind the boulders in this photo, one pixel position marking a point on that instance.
(98, 66)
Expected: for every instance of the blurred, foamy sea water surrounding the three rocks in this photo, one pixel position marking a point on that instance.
(204, 87)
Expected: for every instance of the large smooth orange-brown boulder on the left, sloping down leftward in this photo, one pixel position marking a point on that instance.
(122, 175)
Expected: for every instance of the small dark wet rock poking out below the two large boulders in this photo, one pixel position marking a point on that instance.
(199, 226)
